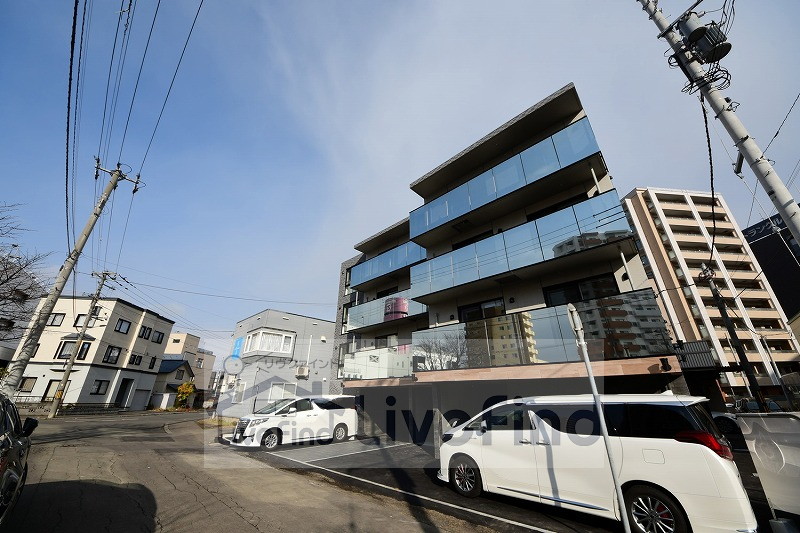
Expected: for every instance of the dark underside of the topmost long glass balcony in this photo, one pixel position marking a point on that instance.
(572, 176)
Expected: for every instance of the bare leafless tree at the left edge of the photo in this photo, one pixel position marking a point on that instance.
(20, 289)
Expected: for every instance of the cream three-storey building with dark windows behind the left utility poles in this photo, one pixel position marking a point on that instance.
(118, 359)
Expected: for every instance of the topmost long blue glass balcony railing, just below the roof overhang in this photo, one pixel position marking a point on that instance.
(566, 147)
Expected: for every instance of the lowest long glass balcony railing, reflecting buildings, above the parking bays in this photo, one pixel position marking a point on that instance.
(616, 327)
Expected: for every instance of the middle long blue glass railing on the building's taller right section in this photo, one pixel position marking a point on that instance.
(582, 226)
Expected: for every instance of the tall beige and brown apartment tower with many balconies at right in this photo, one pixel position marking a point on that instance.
(676, 230)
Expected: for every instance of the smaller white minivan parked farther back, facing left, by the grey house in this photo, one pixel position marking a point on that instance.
(296, 420)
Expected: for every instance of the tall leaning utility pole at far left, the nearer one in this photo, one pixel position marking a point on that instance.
(17, 367)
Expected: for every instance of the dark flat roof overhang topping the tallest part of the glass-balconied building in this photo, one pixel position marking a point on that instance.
(560, 108)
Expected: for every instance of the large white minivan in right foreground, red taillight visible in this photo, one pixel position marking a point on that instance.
(675, 467)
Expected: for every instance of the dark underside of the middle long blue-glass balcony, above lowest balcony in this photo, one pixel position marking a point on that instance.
(603, 253)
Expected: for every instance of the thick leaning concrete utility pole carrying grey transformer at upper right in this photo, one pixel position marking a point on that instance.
(724, 110)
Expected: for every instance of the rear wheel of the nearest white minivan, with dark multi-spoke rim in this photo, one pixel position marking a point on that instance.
(651, 510)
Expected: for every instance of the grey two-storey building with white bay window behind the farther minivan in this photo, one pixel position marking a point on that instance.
(282, 355)
